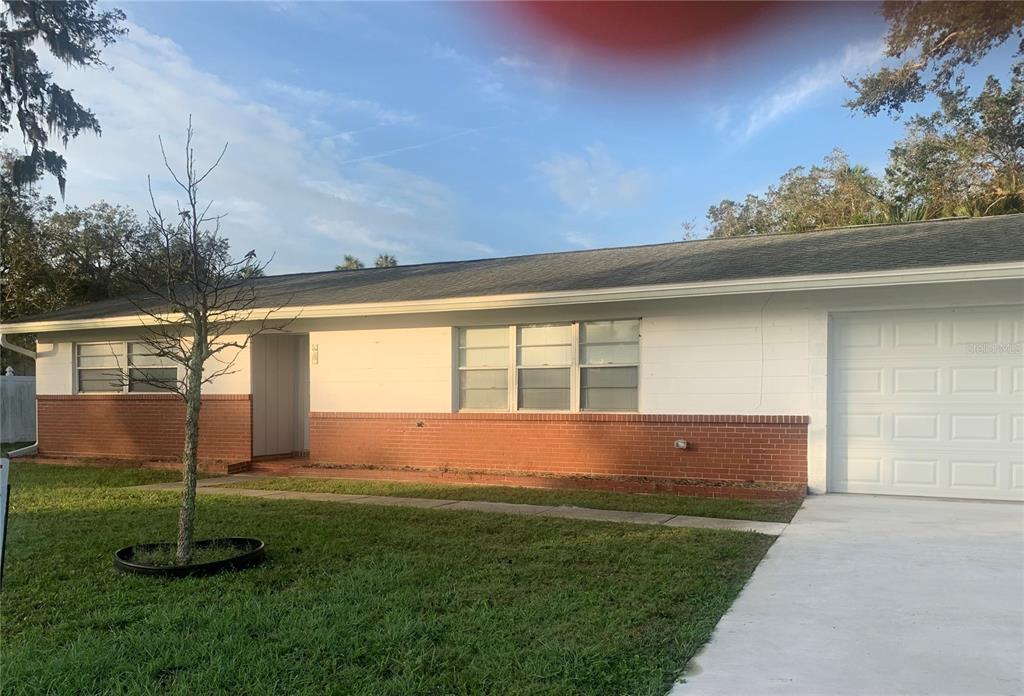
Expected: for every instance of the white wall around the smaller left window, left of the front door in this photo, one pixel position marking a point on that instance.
(56, 364)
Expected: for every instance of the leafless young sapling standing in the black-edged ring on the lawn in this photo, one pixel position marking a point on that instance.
(200, 309)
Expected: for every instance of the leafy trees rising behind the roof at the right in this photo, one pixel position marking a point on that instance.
(967, 158)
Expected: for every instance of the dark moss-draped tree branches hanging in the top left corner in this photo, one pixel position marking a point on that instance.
(75, 34)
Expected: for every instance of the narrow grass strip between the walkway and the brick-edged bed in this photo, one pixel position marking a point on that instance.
(769, 511)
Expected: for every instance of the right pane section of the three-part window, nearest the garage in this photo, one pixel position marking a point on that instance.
(610, 359)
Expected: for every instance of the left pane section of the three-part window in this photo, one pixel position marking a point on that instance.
(484, 369)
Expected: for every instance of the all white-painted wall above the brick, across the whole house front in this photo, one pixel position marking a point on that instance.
(742, 355)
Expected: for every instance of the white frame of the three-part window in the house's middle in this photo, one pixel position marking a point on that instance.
(576, 394)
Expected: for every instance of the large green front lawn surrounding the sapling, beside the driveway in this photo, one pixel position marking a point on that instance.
(353, 599)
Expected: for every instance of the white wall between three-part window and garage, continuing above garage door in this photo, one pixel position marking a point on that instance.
(770, 354)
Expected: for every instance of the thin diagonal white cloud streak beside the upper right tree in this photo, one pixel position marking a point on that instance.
(803, 88)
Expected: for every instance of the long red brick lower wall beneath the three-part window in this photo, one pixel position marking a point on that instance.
(766, 450)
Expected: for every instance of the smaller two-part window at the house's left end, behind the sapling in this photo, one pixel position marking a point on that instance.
(101, 369)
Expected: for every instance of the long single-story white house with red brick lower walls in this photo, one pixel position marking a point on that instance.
(873, 360)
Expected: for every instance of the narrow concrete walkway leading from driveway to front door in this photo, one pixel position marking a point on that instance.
(216, 487)
